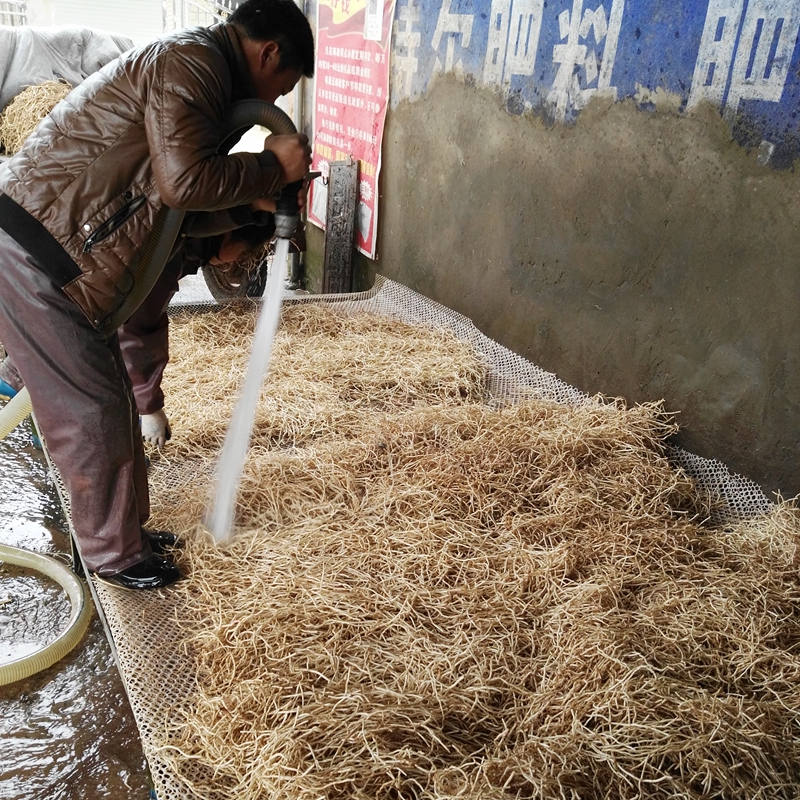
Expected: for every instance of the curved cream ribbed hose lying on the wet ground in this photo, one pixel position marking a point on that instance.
(79, 617)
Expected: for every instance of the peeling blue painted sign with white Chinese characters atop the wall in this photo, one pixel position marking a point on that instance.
(552, 56)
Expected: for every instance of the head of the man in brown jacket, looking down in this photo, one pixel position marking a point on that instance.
(278, 44)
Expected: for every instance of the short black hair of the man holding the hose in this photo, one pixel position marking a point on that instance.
(280, 21)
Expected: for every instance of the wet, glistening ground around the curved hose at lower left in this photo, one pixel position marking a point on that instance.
(68, 732)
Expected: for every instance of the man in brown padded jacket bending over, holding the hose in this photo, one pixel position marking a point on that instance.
(76, 205)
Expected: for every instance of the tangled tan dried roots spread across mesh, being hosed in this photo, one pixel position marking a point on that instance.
(430, 596)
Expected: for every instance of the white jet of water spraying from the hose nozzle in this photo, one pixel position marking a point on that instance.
(237, 440)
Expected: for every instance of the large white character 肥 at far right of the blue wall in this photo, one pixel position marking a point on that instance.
(752, 64)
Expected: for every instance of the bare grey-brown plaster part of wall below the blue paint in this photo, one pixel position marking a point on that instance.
(637, 254)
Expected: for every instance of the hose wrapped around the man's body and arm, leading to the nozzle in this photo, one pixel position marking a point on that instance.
(149, 265)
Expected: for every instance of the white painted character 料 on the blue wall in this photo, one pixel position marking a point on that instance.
(567, 91)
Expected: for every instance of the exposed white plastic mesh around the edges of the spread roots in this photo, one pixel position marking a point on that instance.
(142, 626)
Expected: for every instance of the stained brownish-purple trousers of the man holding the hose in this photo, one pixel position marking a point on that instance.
(82, 399)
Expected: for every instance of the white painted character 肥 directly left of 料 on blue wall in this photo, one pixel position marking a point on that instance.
(514, 27)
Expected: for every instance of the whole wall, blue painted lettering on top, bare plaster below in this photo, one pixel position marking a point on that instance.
(626, 215)
